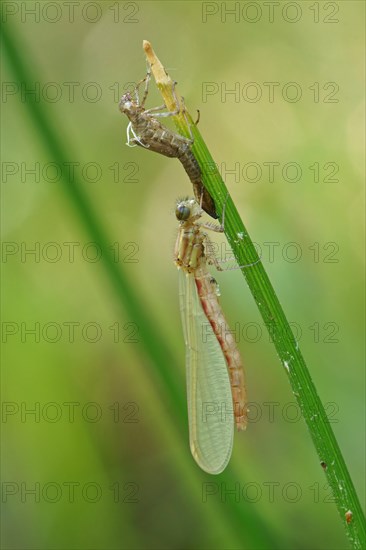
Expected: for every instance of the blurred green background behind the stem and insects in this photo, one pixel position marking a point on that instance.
(103, 461)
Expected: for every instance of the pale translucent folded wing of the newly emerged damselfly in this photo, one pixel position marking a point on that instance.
(210, 404)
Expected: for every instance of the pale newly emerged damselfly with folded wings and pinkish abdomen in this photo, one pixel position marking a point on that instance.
(215, 377)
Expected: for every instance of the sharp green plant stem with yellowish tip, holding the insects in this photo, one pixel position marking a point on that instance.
(303, 388)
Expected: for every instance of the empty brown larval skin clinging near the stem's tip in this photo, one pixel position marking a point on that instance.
(147, 132)
